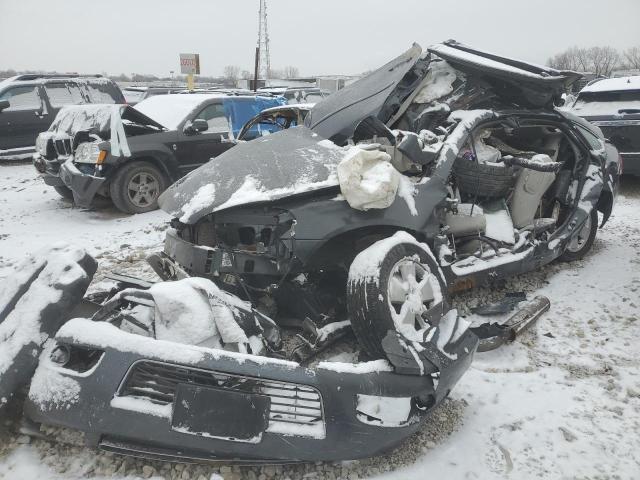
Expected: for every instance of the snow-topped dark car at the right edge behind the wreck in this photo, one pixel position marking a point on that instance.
(614, 105)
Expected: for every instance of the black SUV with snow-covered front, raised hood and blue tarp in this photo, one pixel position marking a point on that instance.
(132, 154)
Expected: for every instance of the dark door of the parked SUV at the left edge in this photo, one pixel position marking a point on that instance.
(25, 117)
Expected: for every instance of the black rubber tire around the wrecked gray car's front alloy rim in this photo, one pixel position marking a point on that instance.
(368, 299)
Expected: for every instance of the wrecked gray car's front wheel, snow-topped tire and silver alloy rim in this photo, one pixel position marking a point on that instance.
(408, 297)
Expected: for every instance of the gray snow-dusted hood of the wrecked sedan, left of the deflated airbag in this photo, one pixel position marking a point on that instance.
(286, 163)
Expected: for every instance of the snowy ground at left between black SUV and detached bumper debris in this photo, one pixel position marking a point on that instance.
(33, 215)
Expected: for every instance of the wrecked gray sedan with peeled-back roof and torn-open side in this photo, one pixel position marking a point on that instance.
(458, 151)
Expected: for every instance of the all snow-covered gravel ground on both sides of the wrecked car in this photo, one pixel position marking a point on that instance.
(563, 402)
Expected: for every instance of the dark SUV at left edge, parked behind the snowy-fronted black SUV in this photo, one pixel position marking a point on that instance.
(29, 103)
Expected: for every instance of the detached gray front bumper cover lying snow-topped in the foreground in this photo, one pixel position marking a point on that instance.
(166, 400)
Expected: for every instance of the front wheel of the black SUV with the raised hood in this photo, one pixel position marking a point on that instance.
(124, 198)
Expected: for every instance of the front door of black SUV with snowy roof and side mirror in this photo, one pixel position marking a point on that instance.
(196, 148)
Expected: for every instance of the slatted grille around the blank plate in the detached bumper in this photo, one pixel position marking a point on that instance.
(295, 409)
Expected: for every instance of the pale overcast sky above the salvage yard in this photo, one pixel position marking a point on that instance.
(318, 37)
